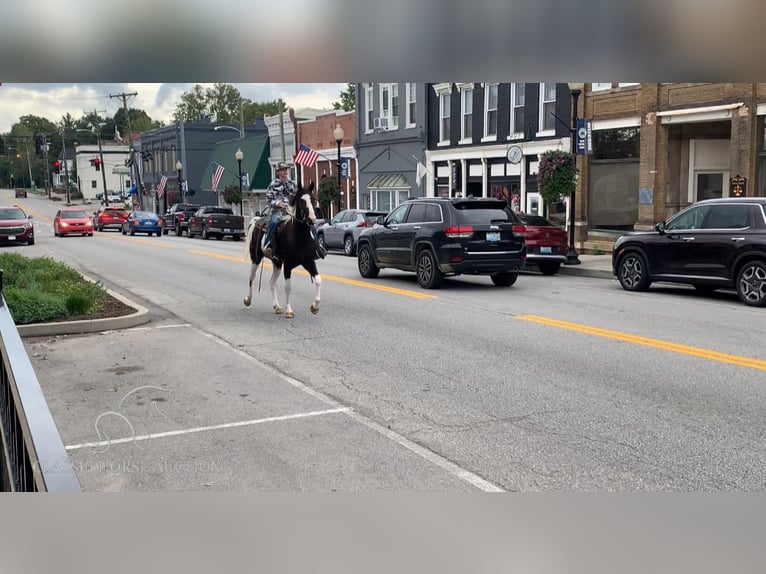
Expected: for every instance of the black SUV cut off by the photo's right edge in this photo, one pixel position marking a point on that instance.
(715, 243)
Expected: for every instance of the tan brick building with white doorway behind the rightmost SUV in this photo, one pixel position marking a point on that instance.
(657, 147)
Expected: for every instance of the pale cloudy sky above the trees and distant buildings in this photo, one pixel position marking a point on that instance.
(53, 101)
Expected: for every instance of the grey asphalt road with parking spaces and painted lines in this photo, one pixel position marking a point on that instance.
(555, 384)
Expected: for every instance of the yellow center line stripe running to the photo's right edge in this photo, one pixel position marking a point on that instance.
(649, 342)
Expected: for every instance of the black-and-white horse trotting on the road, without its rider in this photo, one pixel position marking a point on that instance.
(295, 245)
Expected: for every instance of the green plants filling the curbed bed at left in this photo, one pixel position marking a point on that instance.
(42, 289)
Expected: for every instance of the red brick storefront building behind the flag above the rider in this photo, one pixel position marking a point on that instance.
(319, 135)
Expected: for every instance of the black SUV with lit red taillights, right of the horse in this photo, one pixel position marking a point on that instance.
(435, 237)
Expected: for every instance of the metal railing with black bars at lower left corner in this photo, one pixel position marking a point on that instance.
(32, 454)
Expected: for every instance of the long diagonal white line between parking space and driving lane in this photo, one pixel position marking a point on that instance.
(448, 466)
